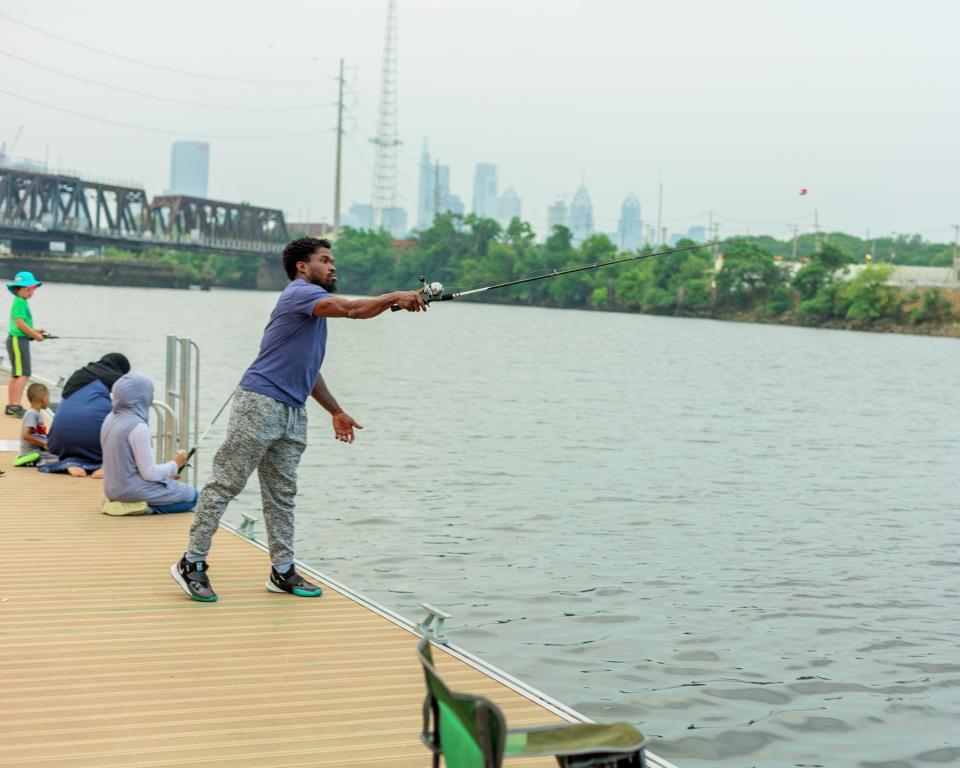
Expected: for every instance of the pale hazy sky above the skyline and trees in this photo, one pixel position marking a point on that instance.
(738, 103)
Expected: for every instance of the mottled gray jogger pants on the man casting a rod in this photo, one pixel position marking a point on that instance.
(270, 437)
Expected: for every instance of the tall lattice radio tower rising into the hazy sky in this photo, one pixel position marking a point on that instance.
(386, 142)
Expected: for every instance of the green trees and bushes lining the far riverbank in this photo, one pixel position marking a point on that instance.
(744, 279)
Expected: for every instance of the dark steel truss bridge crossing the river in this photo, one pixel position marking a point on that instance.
(37, 209)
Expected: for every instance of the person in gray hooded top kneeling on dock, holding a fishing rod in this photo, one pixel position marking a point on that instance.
(129, 472)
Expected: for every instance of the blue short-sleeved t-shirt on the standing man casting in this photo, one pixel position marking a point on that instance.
(292, 348)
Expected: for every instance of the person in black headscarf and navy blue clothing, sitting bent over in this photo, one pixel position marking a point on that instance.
(75, 432)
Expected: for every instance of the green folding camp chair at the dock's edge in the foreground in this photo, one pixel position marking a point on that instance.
(471, 732)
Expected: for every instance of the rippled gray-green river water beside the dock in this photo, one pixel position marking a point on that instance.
(742, 538)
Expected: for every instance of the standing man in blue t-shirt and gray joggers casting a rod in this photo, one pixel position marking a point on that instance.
(268, 421)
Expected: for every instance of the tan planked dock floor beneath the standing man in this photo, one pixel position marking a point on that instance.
(105, 663)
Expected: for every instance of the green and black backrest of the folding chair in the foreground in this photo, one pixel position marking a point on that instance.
(469, 731)
